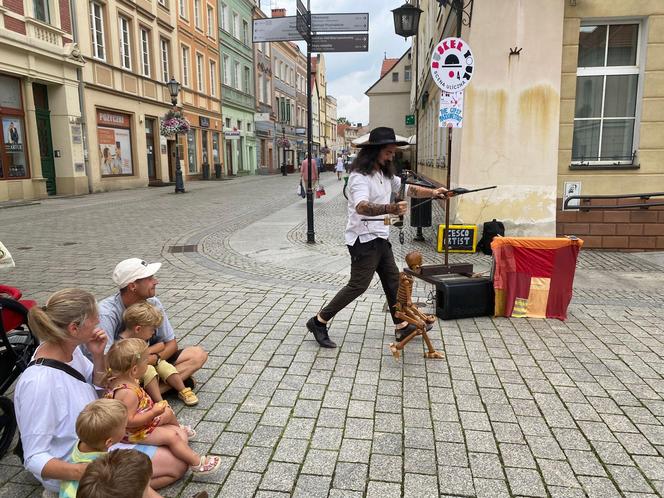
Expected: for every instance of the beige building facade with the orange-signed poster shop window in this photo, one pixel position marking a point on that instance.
(130, 51)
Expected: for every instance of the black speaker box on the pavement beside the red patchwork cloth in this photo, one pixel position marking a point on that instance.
(464, 297)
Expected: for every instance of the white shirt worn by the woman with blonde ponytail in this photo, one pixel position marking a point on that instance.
(47, 402)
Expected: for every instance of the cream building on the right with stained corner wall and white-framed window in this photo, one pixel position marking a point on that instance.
(561, 92)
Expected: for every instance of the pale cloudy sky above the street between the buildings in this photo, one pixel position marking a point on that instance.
(349, 75)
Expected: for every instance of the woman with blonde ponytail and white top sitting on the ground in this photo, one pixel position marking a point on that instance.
(48, 400)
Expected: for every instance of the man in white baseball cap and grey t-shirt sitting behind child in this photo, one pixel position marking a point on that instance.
(137, 282)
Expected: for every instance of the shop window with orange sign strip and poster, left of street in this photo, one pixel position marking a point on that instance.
(114, 137)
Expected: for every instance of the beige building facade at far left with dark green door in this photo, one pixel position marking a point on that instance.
(41, 151)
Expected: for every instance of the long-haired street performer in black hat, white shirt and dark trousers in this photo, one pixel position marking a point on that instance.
(370, 185)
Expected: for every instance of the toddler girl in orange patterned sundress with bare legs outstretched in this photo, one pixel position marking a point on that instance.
(148, 423)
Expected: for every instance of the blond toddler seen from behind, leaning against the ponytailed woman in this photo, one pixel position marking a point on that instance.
(99, 426)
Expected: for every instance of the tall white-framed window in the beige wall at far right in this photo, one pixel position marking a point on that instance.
(605, 115)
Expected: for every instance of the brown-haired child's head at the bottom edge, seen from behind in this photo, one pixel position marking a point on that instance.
(124, 473)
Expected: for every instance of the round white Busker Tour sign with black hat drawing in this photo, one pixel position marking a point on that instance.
(452, 64)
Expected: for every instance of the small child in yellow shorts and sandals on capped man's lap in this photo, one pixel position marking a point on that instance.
(141, 320)
